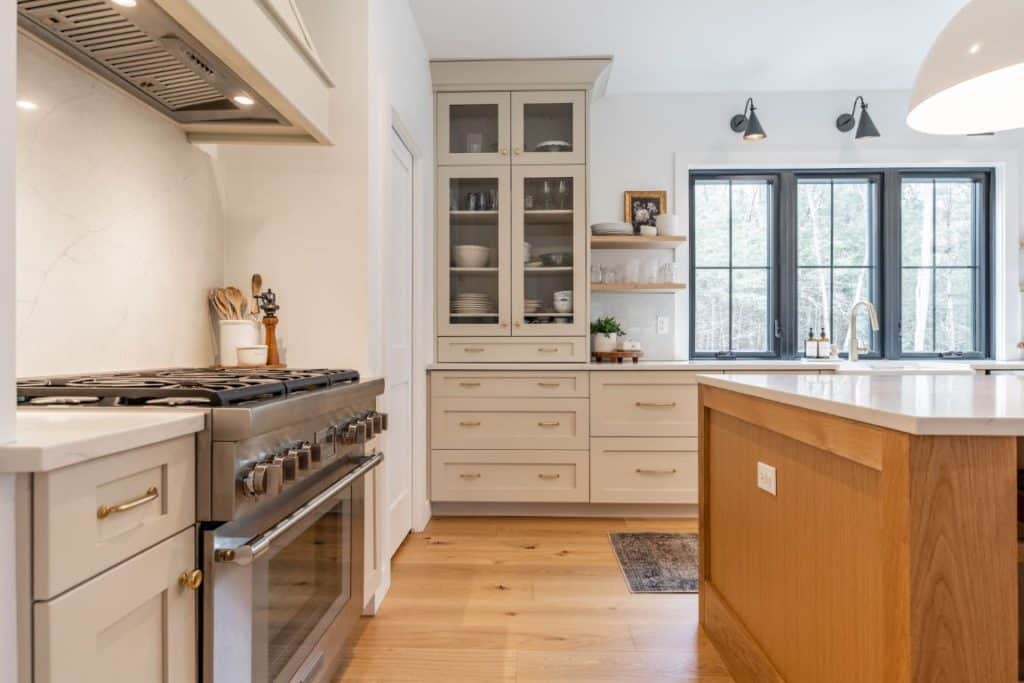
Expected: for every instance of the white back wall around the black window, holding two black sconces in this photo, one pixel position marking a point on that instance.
(653, 142)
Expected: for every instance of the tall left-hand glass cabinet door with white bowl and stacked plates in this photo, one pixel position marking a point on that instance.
(474, 259)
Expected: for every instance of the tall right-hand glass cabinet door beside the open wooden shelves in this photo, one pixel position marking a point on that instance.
(549, 251)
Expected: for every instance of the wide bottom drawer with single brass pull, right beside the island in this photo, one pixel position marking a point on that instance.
(644, 471)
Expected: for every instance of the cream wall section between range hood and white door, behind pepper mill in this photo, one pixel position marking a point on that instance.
(300, 216)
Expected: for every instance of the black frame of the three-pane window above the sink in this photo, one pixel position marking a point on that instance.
(784, 295)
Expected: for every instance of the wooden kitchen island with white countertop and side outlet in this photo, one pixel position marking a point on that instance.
(881, 547)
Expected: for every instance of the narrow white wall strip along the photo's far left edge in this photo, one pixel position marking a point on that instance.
(9, 621)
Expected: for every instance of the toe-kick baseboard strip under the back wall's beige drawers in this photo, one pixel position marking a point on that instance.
(562, 510)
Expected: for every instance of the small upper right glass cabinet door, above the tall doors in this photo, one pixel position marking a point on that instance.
(549, 129)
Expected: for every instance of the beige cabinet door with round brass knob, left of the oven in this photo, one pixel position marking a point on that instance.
(135, 623)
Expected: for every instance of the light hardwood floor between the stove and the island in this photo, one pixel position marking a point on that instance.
(529, 600)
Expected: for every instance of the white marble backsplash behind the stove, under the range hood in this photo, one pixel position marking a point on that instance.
(120, 229)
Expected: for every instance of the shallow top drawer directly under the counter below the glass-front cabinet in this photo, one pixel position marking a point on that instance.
(517, 385)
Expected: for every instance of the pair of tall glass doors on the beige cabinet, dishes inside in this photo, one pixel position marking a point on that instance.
(513, 251)
